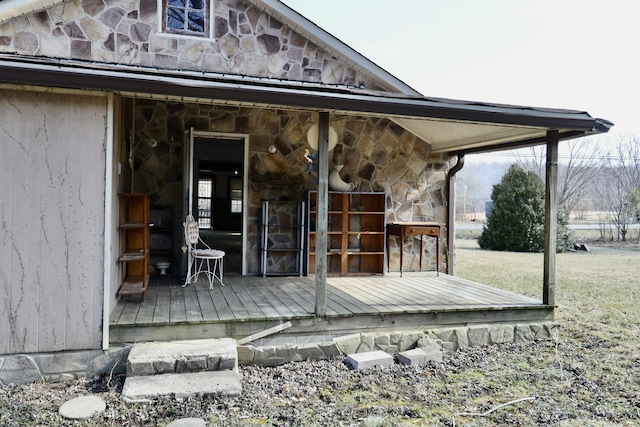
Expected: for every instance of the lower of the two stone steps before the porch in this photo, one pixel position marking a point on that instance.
(213, 383)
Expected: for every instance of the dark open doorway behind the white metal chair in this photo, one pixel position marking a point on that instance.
(217, 195)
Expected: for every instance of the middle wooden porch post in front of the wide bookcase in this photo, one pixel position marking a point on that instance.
(322, 214)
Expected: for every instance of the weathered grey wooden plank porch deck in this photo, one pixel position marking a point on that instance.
(249, 304)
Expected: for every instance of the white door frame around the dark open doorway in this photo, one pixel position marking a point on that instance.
(188, 181)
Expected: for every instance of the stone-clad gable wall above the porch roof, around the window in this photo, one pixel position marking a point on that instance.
(247, 42)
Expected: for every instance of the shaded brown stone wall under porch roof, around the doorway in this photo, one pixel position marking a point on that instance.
(376, 153)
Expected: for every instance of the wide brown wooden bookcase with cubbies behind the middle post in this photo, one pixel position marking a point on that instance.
(355, 236)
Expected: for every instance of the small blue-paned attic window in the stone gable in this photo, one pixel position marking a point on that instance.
(186, 17)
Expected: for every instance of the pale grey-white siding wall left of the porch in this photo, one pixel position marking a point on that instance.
(52, 171)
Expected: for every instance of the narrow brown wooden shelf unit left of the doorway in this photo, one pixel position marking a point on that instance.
(134, 244)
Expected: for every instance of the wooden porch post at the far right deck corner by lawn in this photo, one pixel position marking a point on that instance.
(550, 219)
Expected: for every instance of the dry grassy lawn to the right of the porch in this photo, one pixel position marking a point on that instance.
(595, 370)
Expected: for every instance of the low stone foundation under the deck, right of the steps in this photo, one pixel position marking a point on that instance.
(277, 351)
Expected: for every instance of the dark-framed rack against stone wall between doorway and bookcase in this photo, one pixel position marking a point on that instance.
(283, 231)
